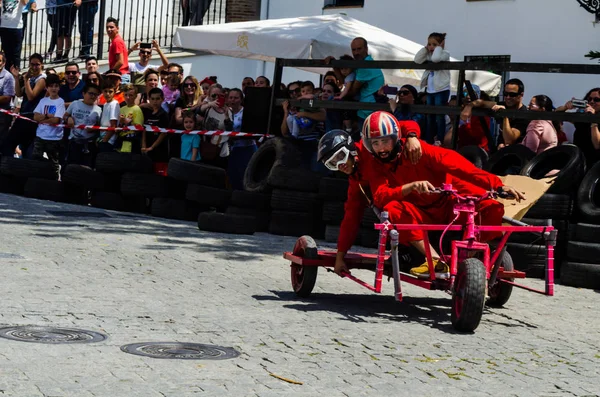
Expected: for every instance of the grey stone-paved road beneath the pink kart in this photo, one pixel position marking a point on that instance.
(140, 279)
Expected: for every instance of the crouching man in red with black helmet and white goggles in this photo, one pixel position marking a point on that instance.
(339, 153)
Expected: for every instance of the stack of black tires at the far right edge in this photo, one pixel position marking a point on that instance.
(582, 266)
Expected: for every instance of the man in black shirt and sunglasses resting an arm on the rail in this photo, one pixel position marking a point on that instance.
(511, 130)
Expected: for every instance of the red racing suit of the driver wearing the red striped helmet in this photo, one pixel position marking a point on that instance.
(438, 166)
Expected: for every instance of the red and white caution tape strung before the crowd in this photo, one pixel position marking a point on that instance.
(146, 128)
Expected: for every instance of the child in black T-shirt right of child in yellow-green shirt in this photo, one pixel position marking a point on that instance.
(153, 143)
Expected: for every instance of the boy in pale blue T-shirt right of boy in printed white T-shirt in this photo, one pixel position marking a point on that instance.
(82, 149)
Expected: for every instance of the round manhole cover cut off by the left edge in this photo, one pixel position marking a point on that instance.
(28, 333)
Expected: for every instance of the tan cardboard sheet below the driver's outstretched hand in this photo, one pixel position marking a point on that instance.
(533, 190)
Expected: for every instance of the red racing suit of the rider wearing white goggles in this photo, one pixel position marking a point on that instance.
(357, 202)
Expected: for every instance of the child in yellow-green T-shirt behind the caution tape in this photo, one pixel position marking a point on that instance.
(130, 115)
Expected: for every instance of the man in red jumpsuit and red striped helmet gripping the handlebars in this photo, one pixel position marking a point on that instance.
(404, 189)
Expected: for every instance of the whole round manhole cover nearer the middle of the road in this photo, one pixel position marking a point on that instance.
(182, 351)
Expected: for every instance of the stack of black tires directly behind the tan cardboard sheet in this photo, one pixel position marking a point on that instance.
(555, 207)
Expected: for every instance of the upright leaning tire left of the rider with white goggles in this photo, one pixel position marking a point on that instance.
(273, 152)
